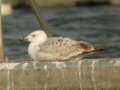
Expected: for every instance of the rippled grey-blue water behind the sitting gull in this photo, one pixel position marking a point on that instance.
(98, 25)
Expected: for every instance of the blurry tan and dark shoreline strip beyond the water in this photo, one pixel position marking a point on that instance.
(65, 3)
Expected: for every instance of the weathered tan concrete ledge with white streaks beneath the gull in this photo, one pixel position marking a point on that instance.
(102, 74)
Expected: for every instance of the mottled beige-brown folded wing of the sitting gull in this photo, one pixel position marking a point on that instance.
(59, 48)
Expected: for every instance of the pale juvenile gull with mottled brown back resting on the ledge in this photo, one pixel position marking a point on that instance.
(57, 48)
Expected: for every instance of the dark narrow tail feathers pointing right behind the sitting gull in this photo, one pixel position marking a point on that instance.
(96, 50)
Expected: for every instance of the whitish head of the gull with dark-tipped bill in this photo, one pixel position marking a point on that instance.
(36, 36)
